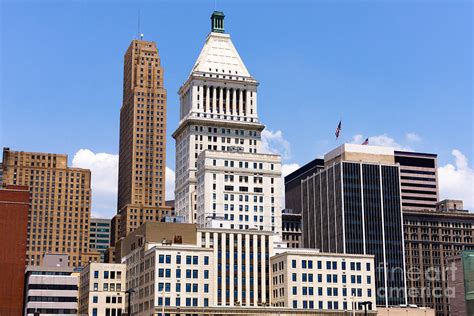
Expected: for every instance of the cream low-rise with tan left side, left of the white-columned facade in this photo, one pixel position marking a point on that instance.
(170, 275)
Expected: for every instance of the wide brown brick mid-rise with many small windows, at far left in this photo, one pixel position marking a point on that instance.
(60, 200)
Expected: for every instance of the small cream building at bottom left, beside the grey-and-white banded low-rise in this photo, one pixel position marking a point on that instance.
(102, 289)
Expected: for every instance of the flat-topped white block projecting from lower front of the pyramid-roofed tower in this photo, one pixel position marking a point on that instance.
(239, 190)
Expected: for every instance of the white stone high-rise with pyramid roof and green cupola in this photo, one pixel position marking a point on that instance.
(220, 171)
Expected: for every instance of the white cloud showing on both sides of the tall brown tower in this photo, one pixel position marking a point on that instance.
(104, 171)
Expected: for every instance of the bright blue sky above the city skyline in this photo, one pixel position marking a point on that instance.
(400, 72)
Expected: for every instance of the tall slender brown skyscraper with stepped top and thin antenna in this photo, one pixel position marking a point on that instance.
(142, 152)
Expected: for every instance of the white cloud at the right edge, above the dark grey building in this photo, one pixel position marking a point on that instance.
(457, 181)
